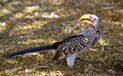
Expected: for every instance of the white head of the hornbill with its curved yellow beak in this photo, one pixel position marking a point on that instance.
(90, 19)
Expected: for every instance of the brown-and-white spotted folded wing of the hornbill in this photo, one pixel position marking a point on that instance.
(69, 47)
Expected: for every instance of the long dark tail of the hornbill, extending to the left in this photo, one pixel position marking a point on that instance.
(28, 50)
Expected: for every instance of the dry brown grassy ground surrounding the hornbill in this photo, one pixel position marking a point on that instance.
(30, 23)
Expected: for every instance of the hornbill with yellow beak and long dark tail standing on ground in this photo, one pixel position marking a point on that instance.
(72, 46)
